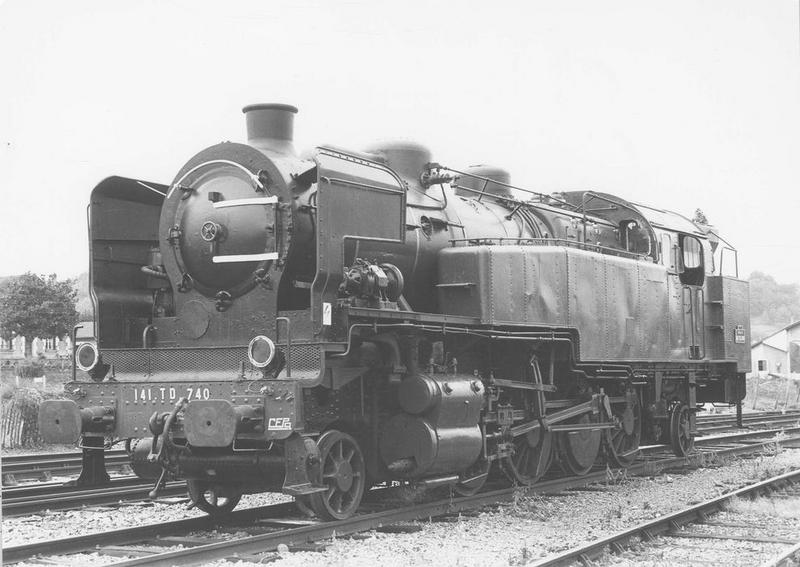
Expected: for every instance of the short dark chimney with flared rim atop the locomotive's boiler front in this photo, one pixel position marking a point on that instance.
(270, 127)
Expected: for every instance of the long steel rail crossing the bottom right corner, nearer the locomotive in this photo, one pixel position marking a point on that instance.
(647, 531)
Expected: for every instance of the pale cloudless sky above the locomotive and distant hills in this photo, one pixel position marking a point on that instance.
(676, 104)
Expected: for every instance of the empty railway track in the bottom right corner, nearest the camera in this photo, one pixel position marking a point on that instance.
(689, 534)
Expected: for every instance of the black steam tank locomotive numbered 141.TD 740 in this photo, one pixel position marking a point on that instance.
(317, 325)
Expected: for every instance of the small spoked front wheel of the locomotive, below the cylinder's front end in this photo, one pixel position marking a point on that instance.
(344, 475)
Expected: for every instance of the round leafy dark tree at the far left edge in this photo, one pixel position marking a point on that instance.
(36, 306)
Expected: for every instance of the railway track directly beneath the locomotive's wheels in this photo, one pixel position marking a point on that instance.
(281, 524)
